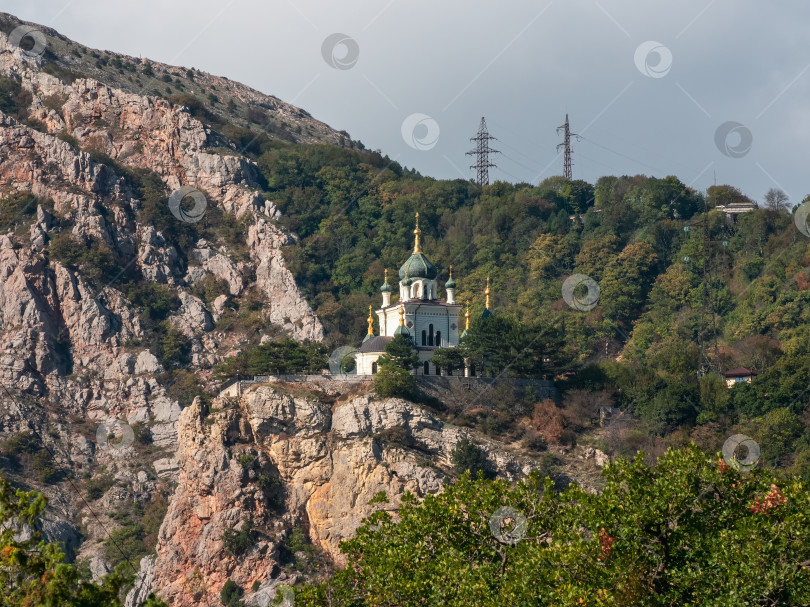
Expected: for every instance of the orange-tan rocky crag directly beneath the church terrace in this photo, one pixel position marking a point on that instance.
(331, 463)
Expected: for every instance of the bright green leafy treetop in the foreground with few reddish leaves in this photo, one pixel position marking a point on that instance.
(689, 531)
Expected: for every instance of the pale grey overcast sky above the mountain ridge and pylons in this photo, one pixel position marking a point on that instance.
(691, 88)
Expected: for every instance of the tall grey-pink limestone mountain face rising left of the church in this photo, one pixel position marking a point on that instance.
(78, 347)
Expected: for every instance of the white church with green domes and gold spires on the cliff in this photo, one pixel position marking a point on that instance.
(428, 321)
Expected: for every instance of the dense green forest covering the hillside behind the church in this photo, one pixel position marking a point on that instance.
(640, 238)
